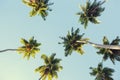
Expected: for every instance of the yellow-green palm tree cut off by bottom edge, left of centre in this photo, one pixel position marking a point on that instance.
(50, 68)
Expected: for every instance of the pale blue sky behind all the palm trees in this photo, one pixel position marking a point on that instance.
(15, 24)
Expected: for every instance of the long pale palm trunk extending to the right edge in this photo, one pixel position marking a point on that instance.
(115, 47)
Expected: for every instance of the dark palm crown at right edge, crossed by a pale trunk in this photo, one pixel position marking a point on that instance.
(110, 53)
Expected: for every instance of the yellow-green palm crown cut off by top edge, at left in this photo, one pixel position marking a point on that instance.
(40, 7)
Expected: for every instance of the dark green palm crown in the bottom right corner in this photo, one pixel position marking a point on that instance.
(102, 73)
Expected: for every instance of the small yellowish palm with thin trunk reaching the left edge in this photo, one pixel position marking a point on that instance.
(29, 48)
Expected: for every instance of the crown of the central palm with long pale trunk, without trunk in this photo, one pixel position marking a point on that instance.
(70, 42)
